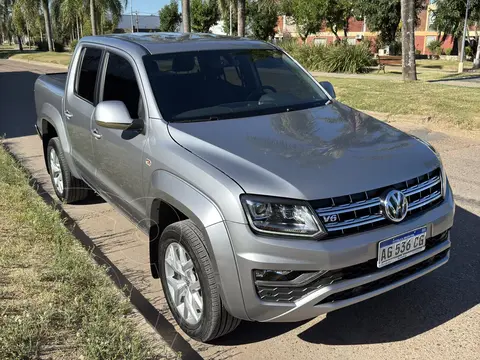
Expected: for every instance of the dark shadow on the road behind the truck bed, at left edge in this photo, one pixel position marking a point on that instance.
(17, 104)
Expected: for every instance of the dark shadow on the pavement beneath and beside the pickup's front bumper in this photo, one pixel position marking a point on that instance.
(402, 313)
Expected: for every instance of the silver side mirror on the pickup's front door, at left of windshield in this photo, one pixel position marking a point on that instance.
(113, 115)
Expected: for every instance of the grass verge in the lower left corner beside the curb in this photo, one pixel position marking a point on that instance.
(55, 302)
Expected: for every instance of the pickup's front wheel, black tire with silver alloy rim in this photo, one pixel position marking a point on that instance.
(189, 284)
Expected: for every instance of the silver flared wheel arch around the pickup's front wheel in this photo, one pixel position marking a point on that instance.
(186, 202)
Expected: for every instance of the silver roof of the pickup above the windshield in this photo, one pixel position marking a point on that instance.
(160, 42)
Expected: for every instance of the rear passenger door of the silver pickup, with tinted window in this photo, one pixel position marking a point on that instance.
(80, 101)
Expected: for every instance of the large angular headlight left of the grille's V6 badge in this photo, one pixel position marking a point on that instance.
(281, 216)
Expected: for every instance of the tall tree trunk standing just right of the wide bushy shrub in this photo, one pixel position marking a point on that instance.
(409, 69)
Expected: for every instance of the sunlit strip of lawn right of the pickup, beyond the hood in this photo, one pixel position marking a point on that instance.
(448, 104)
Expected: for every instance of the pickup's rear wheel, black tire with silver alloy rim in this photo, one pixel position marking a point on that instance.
(68, 188)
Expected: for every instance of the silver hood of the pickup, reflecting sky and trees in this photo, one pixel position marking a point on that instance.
(309, 154)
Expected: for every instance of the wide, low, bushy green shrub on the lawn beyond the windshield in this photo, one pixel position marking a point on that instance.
(340, 57)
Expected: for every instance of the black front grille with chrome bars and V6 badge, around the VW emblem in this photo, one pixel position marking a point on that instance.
(361, 211)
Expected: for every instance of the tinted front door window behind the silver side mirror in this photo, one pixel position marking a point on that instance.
(121, 84)
